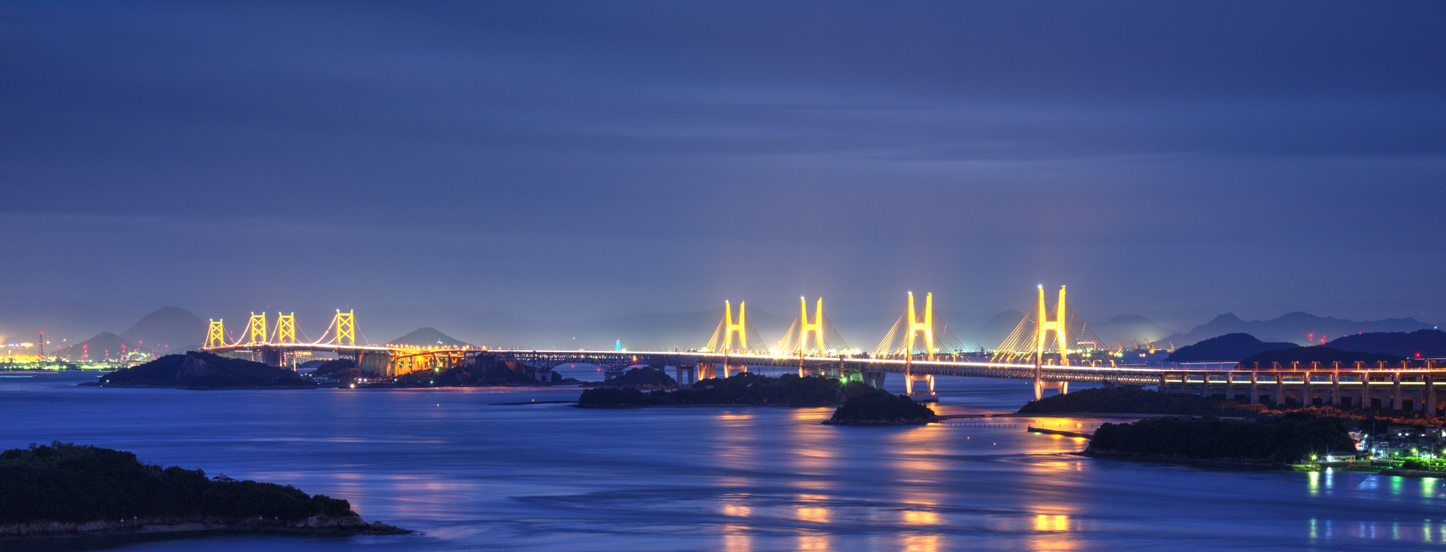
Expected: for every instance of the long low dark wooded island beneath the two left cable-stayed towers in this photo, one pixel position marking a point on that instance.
(740, 389)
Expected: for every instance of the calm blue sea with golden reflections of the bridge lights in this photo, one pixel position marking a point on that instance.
(469, 475)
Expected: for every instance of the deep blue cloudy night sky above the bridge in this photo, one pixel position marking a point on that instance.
(568, 161)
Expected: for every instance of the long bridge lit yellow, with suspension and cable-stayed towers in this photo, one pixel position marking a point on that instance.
(1049, 352)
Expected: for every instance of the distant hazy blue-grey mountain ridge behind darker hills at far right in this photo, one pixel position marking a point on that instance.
(1296, 327)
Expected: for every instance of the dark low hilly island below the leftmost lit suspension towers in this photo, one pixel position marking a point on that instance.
(203, 371)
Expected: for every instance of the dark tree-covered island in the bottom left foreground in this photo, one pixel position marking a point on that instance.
(67, 491)
